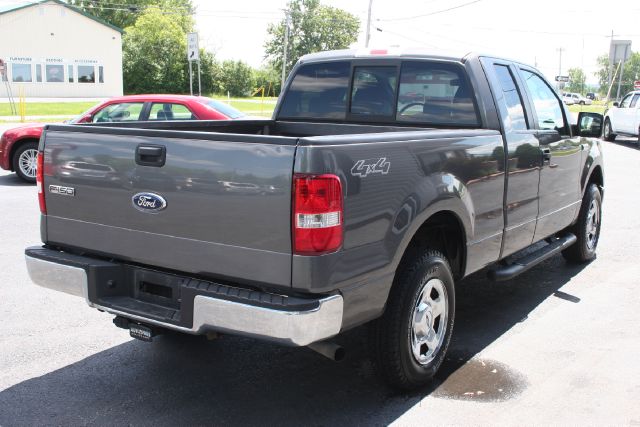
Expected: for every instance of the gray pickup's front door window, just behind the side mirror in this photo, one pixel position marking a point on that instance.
(547, 106)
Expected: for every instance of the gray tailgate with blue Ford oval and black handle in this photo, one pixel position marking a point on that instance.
(228, 199)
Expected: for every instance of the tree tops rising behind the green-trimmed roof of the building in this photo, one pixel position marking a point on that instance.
(124, 13)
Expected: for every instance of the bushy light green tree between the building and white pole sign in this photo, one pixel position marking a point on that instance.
(154, 58)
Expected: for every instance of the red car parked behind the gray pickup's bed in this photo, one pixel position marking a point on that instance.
(19, 146)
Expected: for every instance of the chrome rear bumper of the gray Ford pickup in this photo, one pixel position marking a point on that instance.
(297, 328)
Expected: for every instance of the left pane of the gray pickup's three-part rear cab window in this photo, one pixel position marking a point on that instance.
(318, 91)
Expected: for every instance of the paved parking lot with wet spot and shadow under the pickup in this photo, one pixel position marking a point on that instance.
(557, 345)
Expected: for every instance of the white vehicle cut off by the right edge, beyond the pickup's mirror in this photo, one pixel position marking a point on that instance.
(623, 118)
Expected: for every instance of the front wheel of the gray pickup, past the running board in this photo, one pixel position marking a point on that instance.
(587, 228)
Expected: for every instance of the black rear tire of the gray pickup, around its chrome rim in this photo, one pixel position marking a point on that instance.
(392, 334)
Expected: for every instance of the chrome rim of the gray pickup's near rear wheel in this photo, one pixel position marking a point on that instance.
(429, 321)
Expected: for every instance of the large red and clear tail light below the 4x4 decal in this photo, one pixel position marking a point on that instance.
(317, 214)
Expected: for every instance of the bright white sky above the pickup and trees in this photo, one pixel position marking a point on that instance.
(532, 33)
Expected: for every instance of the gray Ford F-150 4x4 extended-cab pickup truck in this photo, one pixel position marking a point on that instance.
(382, 179)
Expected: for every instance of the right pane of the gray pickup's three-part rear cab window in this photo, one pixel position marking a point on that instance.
(435, 93)
